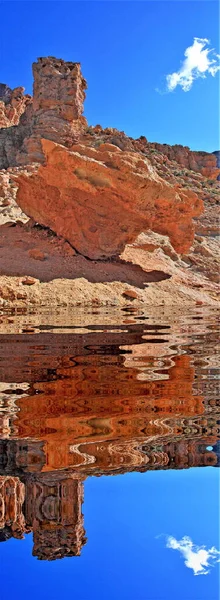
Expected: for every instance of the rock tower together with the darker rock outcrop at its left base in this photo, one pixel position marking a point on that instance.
(56, 113)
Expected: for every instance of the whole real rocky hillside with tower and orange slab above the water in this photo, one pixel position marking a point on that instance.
(104, 194)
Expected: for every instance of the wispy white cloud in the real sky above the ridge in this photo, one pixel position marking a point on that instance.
(199, 60)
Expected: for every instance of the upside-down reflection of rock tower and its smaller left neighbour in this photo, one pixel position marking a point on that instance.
(50, 507)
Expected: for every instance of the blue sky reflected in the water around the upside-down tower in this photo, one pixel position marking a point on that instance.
(127, 519)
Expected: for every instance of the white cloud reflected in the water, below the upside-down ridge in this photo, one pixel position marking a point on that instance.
(197, 558)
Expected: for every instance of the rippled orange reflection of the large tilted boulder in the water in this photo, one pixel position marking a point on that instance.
(95, 402)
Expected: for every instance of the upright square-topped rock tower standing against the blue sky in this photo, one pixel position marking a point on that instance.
(58, 100)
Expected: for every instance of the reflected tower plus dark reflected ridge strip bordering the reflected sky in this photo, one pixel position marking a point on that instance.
(49, 504)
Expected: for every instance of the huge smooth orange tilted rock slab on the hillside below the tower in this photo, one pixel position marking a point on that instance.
(100, 200)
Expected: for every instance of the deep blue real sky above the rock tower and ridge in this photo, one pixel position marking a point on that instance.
(126, 50)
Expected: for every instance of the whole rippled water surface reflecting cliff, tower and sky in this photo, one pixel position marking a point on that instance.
(109, 455)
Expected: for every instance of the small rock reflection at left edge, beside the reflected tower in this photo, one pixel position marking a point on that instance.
(12, 521)
